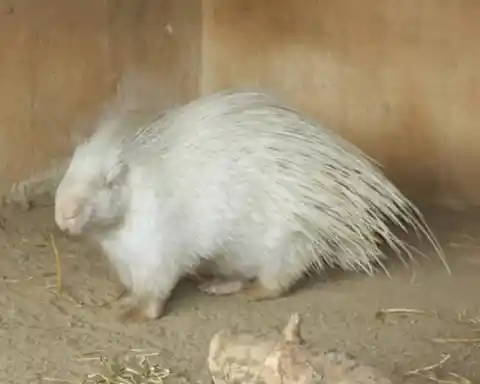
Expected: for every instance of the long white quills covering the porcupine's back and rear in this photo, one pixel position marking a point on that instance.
(333, 196)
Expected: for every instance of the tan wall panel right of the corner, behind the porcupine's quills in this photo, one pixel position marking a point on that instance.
(400, 78)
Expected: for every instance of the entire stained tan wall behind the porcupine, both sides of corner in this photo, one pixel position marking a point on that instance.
(397, 77)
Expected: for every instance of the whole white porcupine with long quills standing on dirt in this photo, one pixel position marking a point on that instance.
(234, 178)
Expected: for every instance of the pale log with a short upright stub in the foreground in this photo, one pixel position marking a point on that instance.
(250, 359)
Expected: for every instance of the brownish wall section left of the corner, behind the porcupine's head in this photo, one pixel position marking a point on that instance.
(60, 60)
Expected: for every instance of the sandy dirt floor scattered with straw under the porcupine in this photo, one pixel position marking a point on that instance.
(48, 337)
